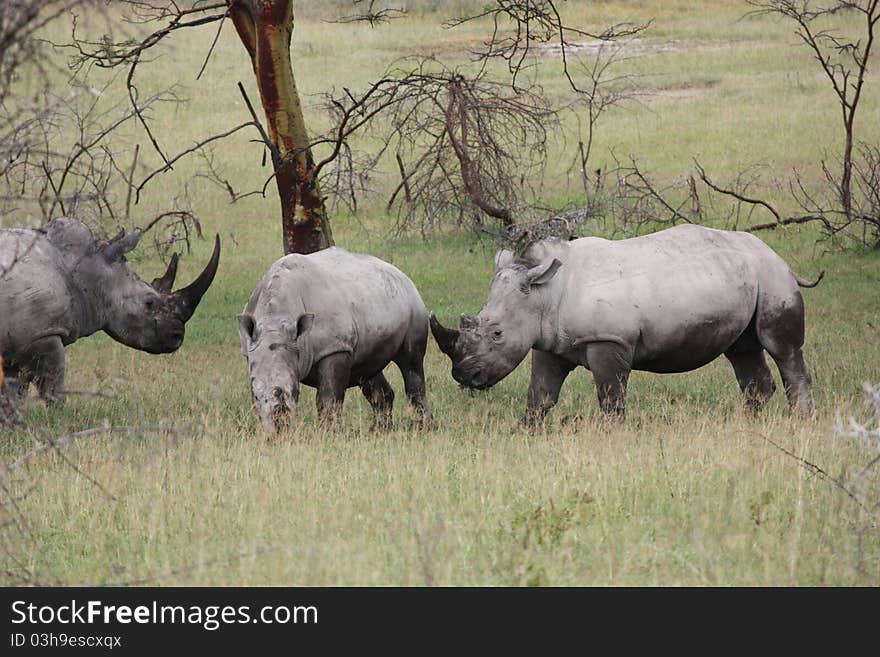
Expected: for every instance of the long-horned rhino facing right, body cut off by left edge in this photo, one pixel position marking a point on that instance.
(60, 283)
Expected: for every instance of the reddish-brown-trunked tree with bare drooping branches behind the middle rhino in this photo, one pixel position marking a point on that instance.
(479, 141)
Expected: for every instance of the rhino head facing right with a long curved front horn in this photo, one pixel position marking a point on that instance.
(146, 316)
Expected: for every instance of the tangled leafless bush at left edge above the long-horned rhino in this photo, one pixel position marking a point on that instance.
(58, 155)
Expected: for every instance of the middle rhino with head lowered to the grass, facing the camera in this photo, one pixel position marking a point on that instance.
(333, 320)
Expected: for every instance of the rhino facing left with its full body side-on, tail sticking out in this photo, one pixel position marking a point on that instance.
(671, 301)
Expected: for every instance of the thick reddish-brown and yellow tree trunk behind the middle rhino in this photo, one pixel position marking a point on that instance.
(265, 28)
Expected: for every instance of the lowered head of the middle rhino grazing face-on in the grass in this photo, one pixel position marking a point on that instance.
(272, 349)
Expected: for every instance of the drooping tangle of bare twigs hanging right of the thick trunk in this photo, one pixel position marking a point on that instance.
(465, 147)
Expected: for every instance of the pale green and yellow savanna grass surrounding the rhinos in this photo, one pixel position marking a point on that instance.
(688, 490)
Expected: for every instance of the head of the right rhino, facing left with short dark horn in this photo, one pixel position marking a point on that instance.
(487, 347)
